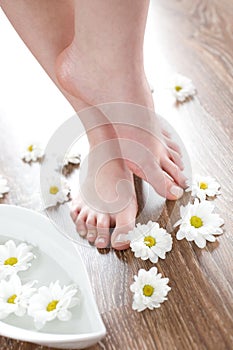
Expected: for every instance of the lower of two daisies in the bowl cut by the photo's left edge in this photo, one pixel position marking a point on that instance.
(14, 297)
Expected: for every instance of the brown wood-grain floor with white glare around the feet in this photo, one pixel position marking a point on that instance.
(194, 38)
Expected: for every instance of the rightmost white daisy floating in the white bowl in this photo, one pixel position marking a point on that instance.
(53, 302)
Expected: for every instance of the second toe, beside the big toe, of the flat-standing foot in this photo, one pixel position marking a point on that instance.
(103, 235)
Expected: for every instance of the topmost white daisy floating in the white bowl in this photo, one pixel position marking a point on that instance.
(14, 258)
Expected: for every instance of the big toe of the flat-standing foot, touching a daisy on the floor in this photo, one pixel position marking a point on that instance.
(125, 222)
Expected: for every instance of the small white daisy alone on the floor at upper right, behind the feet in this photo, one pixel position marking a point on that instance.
(182, 87)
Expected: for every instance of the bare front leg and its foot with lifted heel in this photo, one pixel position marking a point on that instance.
(104, 64)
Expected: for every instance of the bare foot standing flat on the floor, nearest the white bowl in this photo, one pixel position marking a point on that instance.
(107, 195)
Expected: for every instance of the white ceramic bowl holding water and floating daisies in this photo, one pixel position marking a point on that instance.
(57, 258)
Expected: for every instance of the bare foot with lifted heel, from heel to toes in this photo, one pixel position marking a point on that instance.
(149, 152)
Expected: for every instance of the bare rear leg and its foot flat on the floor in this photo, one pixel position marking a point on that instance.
(47, 28)
